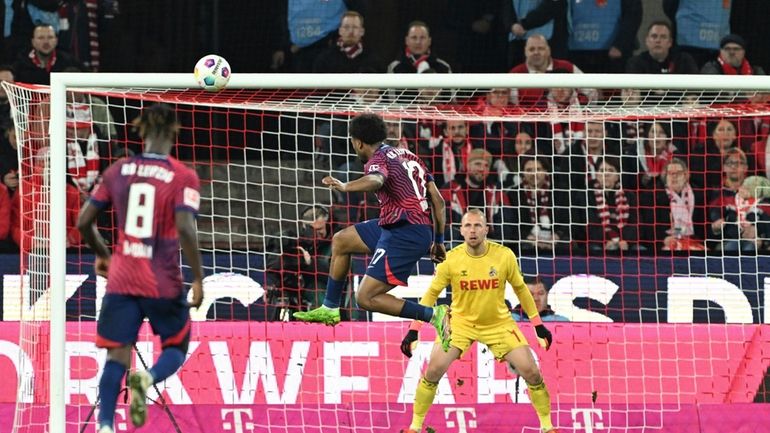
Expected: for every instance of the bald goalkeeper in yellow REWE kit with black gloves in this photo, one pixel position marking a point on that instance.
(477, 271)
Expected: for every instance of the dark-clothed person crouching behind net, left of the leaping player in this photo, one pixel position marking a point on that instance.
(297, 262)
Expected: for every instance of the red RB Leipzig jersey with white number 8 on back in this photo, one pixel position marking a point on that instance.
(146, 191)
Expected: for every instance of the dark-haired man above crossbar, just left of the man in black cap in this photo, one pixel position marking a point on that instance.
(659, 57)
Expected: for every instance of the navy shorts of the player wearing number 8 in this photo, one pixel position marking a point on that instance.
(121, 317)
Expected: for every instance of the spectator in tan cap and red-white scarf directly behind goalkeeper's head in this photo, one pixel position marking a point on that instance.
(477, 189)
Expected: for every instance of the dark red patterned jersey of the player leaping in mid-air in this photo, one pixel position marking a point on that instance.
(402, 197)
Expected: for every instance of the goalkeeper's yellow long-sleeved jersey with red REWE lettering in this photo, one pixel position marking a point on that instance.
(478, 284)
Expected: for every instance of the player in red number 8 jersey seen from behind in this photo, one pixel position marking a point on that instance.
(156, 199)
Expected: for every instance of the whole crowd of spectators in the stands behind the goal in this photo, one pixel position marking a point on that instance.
(547, 187)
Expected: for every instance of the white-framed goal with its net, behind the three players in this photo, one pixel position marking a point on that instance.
(642, 205)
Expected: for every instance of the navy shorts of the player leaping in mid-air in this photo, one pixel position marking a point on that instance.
(395, 249)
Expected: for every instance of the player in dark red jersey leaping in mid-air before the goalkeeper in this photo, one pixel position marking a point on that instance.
(397, 240)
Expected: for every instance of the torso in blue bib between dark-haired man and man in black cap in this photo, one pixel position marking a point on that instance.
(699, 25)
